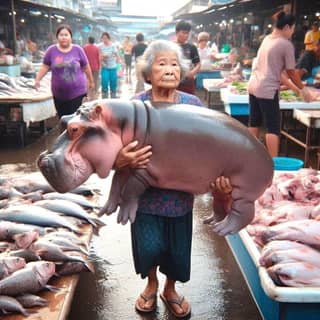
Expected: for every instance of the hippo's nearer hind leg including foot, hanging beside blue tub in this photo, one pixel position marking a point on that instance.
(240, 215)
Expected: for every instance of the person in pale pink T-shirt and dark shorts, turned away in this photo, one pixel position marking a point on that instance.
(275, 56)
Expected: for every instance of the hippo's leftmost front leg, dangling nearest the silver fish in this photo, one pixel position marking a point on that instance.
(118, 181)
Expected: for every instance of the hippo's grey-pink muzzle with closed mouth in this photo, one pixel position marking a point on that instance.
(61, 176)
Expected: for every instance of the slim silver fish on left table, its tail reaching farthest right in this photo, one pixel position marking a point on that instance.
(71, 209)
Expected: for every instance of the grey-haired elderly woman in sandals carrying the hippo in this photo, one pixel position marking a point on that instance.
(162, 231)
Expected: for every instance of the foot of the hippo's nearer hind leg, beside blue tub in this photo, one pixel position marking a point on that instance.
(231, 224)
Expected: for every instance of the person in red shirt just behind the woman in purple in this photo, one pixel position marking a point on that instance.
(93, 55)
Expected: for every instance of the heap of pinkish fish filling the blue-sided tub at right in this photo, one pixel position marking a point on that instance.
(286, 228)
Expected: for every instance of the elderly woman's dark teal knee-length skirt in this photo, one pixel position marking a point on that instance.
(164, 242)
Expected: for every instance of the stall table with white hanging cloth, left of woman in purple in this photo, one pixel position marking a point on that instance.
(17, 112)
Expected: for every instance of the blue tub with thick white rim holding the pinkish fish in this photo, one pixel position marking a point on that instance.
(274, 302)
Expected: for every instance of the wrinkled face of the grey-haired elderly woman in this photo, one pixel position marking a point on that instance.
(165, 71)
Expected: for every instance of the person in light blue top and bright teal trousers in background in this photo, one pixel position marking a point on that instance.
(109, 58)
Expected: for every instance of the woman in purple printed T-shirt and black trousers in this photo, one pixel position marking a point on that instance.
(70, 71)
